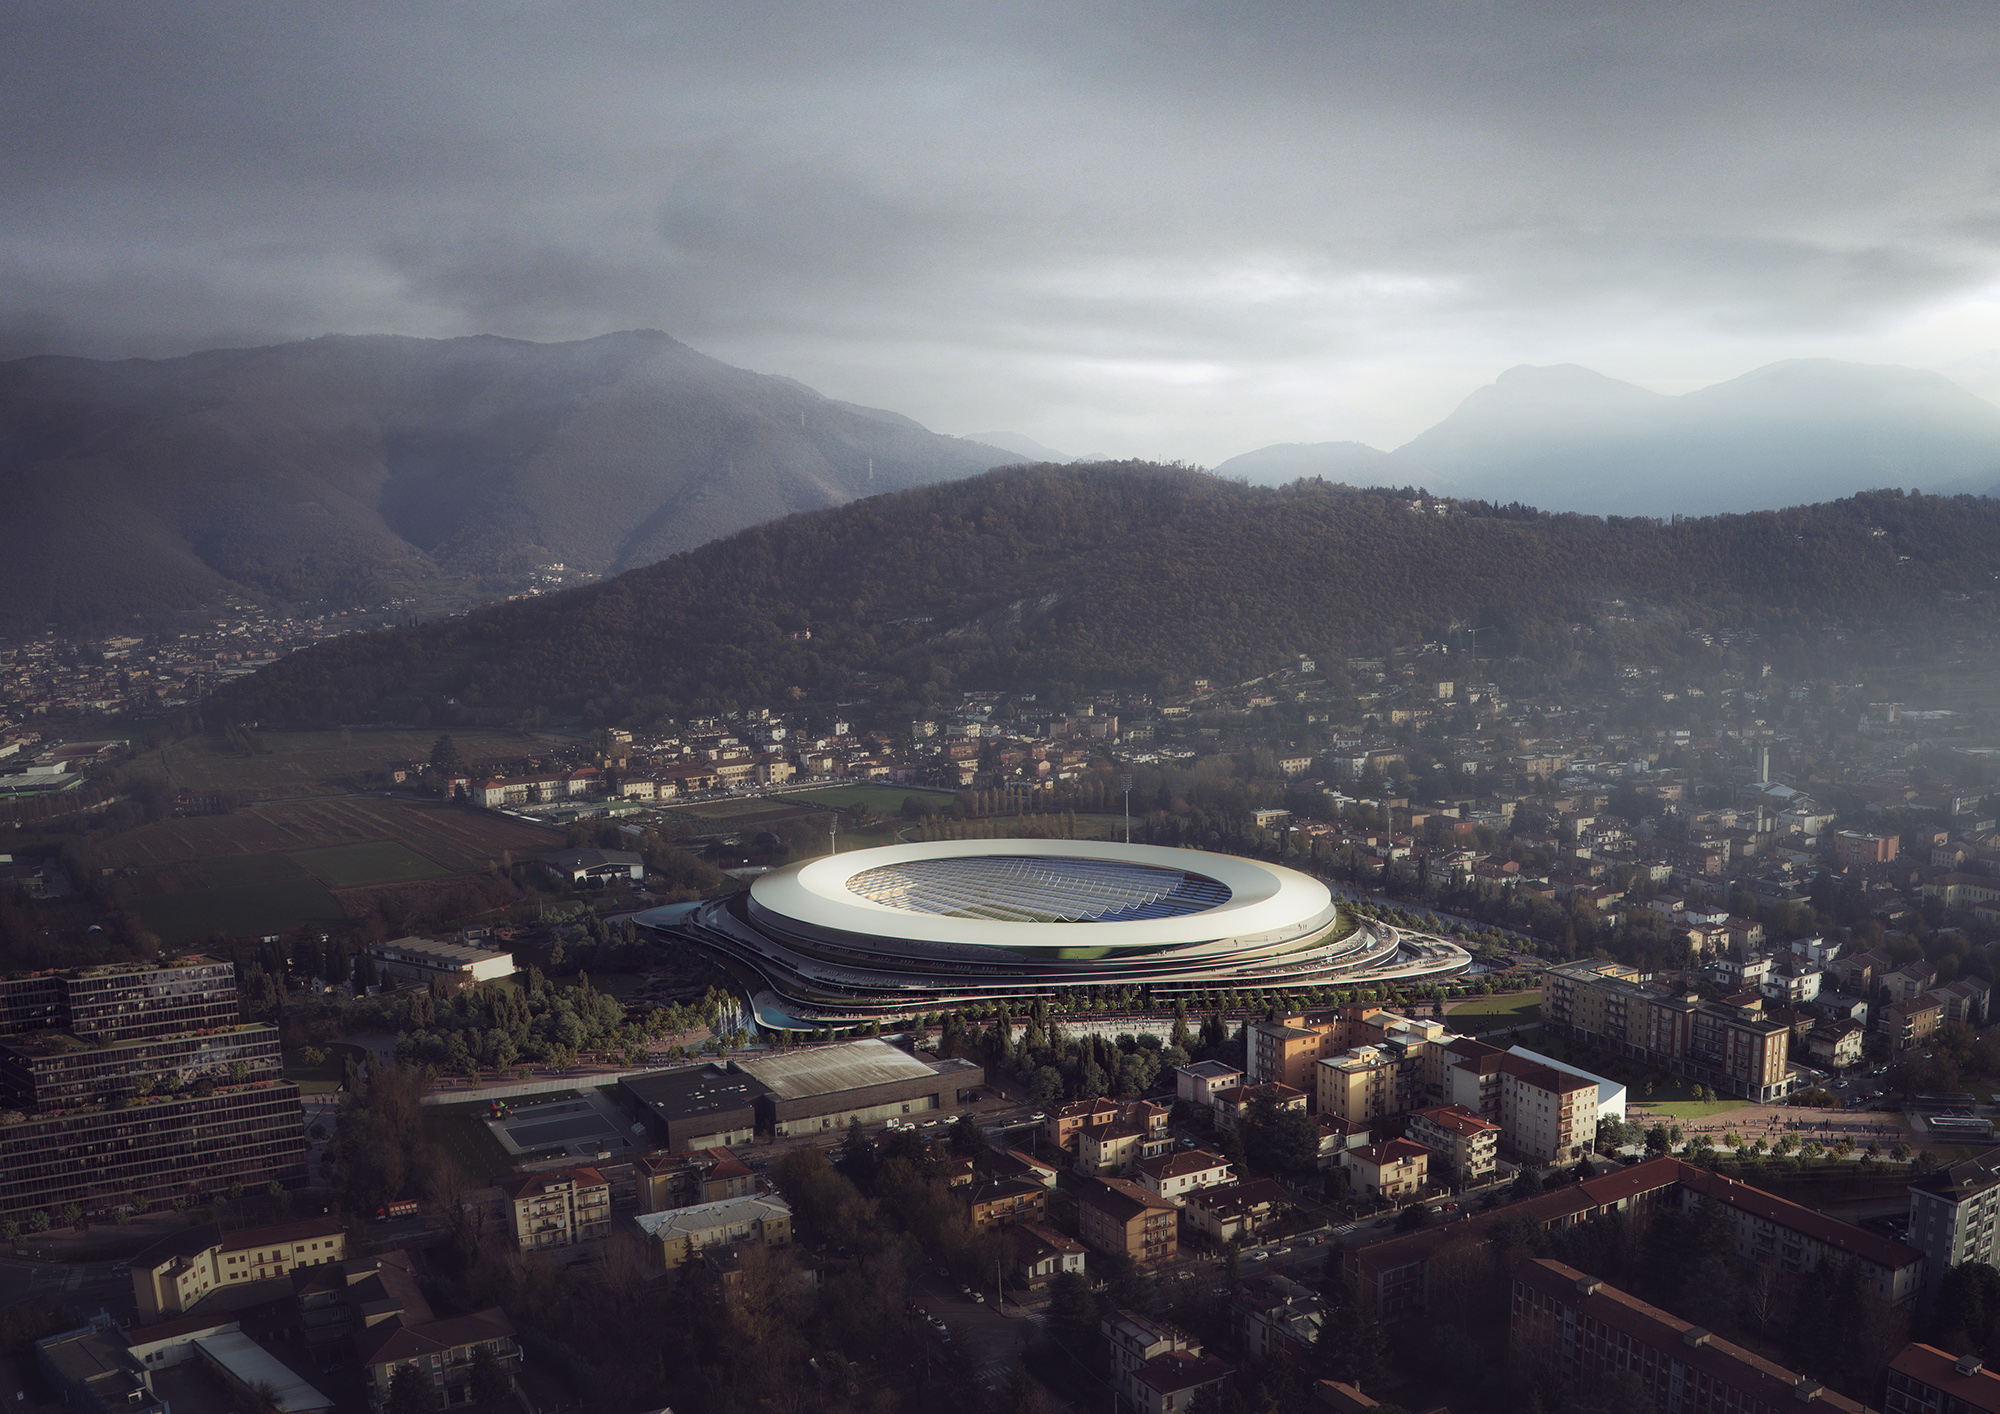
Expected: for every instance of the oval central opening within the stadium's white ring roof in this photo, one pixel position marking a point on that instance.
(1027, 889)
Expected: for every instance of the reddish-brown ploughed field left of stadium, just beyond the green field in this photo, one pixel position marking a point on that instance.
(455, 839)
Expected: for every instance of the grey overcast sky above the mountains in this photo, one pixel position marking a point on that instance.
(1171, 231)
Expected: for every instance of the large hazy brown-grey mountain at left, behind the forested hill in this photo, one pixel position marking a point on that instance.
(349, 467)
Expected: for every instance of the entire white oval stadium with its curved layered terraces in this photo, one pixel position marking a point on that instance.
(913, 929)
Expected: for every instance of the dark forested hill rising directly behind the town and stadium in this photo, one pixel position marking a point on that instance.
(1133, 575)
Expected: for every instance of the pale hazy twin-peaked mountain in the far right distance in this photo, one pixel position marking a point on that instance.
(1569, 439)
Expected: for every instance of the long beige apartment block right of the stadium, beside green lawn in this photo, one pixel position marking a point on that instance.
(1733, 1045)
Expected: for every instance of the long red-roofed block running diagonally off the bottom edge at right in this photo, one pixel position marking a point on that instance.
(1589, 1333)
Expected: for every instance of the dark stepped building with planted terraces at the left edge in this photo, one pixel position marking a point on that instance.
(135, 1081)
